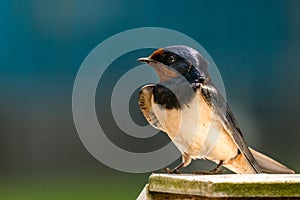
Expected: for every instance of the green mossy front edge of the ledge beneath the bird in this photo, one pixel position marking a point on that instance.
(175, 185)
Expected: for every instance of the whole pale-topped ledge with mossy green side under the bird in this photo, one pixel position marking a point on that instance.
(187, 186)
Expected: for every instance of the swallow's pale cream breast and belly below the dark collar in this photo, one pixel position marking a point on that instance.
(196, 130)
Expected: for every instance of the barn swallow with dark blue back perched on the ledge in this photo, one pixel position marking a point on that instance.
(186, 105)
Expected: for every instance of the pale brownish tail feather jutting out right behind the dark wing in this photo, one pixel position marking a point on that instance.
(270, 166)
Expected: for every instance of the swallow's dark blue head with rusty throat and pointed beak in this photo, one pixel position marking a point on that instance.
(178, 61)
